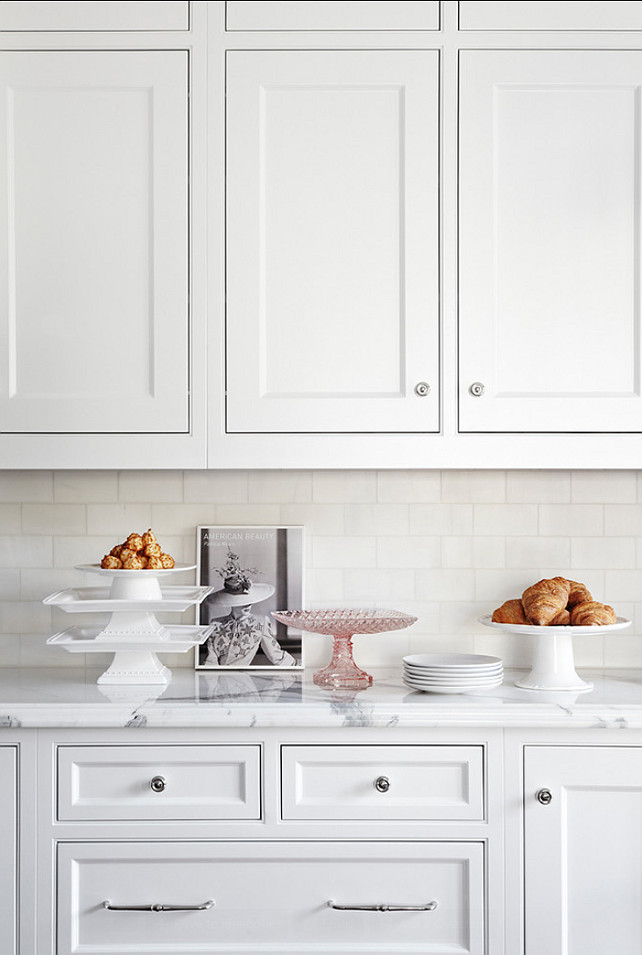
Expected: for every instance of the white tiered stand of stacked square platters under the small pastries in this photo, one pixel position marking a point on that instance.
(132, 633)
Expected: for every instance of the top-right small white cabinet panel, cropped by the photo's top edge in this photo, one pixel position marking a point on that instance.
(550, 15)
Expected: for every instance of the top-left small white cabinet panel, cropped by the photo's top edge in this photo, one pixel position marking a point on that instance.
(56, 15)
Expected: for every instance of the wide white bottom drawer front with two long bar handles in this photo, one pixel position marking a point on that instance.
(270, 898)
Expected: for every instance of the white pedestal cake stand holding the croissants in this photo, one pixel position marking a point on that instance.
(553, 666)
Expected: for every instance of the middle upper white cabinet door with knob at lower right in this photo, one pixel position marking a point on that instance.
(332, 298)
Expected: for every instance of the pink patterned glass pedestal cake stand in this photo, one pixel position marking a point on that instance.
(342, 671)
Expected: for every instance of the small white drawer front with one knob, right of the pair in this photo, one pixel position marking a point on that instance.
(382, 782)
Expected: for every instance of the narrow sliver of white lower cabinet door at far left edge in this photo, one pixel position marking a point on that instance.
(8, 842)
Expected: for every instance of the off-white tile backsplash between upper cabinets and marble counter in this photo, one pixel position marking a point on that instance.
(446, 546)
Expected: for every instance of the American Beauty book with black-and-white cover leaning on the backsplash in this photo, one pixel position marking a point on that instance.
(253, 571)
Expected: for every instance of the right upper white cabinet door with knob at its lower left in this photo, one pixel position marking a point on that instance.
(549, 241)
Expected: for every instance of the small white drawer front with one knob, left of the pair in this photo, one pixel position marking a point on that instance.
(144, 783)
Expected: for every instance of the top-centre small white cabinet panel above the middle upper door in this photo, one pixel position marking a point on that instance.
(332, 15)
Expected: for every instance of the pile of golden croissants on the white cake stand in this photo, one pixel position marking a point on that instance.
(557, 602)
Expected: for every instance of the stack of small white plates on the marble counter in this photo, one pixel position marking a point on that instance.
(452, 672)
